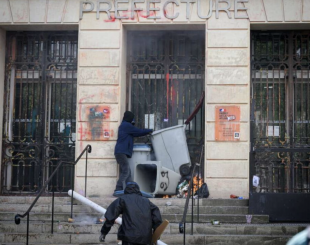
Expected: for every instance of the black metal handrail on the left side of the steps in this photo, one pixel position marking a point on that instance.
(19, 216)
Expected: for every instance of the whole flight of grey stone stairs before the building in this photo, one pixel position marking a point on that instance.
(85, 228)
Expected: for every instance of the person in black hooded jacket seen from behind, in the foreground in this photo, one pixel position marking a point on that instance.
(140, 217)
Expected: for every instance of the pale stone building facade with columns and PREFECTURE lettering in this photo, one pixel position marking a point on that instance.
(101, 75)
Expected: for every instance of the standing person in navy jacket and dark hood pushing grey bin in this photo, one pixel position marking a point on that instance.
(124, 147)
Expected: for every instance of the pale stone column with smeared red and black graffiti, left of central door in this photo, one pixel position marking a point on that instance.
(98, 102)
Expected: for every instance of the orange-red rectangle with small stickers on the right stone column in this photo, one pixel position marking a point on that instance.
(227, 123)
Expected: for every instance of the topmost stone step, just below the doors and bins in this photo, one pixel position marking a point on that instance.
(105, 201)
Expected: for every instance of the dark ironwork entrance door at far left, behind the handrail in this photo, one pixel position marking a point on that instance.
(40, 110)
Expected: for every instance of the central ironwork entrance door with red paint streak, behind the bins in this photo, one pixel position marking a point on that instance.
(166, 79)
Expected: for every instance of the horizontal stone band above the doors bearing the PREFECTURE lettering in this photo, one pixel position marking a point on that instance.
(67, 12)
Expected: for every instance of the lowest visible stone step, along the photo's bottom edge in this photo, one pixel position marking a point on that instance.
(168, 239)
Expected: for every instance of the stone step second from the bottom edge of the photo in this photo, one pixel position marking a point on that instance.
(173, 228)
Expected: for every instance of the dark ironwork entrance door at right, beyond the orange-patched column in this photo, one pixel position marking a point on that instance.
(280, 123)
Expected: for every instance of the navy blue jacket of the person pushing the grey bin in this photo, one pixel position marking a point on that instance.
(126, 132)
